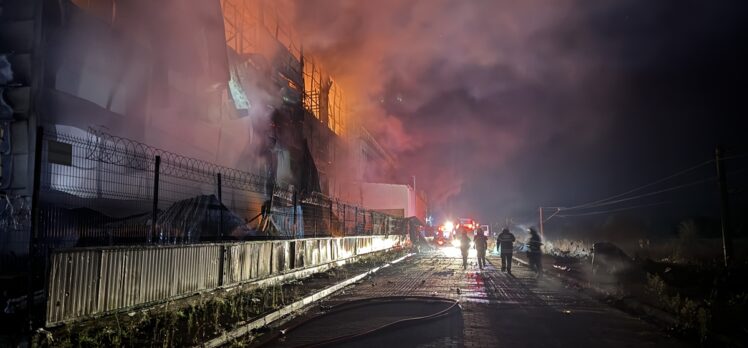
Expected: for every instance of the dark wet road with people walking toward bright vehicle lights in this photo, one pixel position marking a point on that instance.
(497, 310)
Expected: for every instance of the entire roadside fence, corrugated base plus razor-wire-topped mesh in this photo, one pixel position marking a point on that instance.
(98, 190)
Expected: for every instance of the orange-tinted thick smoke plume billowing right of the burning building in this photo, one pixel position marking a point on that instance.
(458, 90)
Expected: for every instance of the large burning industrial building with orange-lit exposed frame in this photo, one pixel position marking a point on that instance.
(218, 87)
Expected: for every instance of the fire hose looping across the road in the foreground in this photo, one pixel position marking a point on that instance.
(454, 307)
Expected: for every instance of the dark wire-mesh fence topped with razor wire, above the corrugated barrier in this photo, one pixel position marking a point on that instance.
(98, 189)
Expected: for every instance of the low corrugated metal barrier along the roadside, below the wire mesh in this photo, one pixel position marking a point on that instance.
(92, 281)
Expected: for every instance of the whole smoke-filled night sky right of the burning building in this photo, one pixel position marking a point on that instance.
(498, 107)
